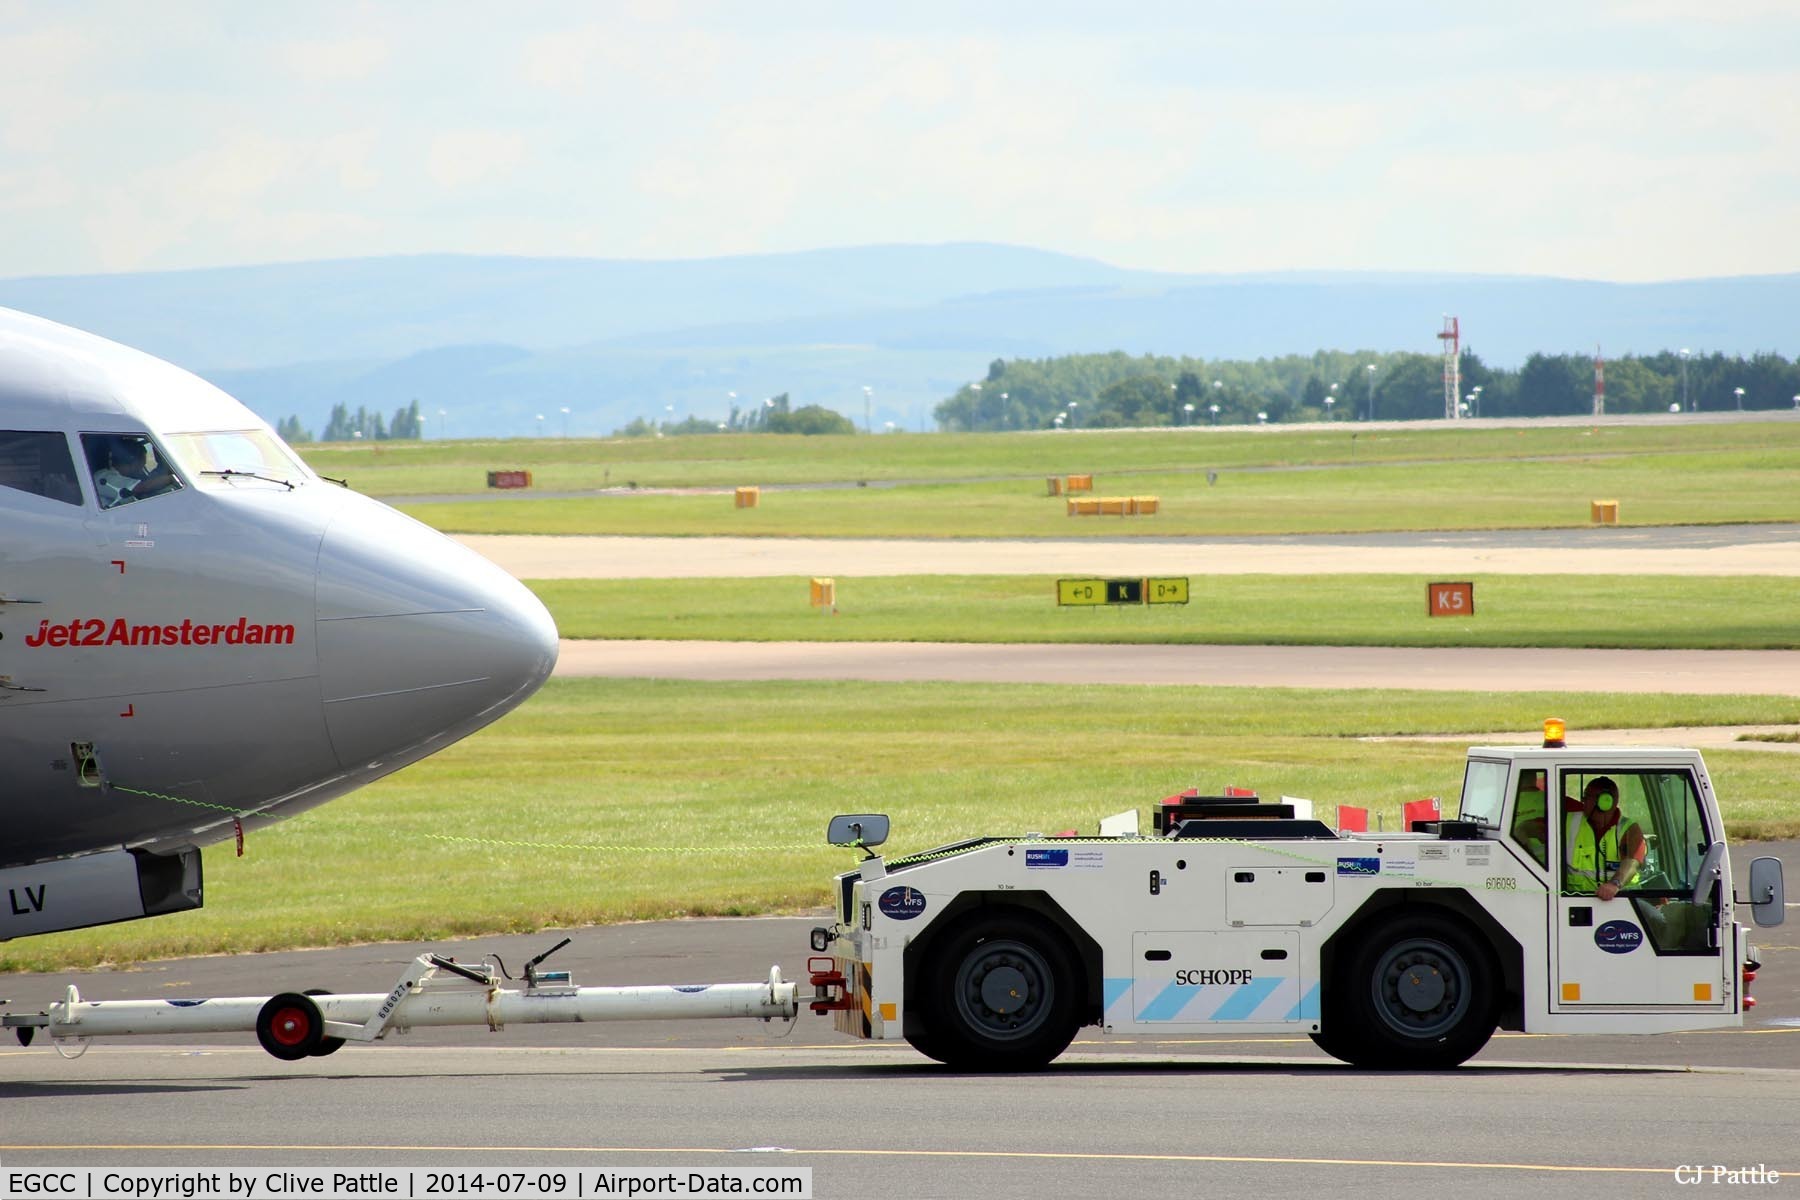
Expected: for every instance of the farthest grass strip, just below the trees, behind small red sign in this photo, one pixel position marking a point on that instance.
(733, 460)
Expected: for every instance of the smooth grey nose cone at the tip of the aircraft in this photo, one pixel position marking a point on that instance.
(420, 640)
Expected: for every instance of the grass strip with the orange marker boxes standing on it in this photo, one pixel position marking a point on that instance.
(1651, 490)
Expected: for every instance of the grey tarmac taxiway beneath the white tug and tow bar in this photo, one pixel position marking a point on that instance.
(1578, 1116)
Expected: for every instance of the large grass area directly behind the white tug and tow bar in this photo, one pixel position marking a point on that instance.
(633, 800)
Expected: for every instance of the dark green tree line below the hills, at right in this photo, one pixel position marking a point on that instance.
(1119, 391)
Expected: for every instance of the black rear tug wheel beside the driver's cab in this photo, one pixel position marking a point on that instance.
(1419, 994)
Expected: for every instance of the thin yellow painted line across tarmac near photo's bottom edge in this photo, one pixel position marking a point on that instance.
(858, 1152)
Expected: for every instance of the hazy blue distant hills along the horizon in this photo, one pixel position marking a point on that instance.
(496, 341)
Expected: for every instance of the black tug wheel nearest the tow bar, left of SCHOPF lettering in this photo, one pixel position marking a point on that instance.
(1002, 994)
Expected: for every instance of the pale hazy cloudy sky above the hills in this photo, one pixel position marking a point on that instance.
(1632, 139)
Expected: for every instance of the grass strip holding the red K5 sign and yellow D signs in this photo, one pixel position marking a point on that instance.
(1756, 613)
